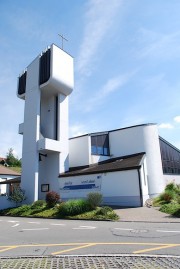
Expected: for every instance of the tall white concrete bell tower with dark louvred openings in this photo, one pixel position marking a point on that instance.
(45, 86)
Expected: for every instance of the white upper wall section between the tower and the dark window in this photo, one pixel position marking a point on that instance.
(79, 151)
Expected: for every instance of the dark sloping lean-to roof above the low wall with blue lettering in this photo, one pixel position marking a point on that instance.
(115, 164)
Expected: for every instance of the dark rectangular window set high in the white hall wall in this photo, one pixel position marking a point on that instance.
(100, 144)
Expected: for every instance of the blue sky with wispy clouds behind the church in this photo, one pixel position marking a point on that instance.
(126, 62)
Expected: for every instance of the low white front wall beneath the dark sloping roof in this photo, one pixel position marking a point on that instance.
(118, 188)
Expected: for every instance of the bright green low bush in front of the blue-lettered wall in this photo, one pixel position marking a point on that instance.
(74, 207)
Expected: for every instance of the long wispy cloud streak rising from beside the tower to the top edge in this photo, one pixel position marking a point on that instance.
(99, 18)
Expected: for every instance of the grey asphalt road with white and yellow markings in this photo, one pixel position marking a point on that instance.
(37, 237)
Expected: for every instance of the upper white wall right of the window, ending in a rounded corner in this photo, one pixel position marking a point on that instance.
(141, 139)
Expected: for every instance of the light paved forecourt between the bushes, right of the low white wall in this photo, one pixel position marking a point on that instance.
(144, 214)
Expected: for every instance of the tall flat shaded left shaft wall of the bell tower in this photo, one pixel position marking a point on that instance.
(31, 128)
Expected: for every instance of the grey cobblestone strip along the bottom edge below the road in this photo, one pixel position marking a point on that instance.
(92, 262)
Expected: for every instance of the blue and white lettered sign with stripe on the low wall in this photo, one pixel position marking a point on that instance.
(81, 184)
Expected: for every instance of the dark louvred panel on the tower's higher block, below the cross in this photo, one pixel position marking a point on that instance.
(44, 67)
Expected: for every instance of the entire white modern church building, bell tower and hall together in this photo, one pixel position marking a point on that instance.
(127, 166)
